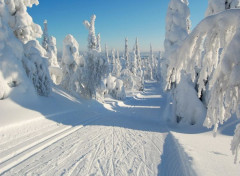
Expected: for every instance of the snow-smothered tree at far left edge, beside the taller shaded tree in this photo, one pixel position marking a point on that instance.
(12, 73)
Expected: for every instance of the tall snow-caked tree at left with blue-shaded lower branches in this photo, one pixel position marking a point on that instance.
(14, 13)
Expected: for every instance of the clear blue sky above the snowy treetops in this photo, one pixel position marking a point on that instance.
(116, 19)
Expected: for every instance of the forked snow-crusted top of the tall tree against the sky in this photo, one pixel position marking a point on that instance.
(92, 40)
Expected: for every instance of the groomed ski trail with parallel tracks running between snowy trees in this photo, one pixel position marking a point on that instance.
(124, 138)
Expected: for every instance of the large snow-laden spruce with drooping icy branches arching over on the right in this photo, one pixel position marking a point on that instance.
(210, 57)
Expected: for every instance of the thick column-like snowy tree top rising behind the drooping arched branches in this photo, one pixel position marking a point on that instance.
(177, 25)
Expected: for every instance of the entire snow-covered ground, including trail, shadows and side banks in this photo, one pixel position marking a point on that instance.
(61, 135)
